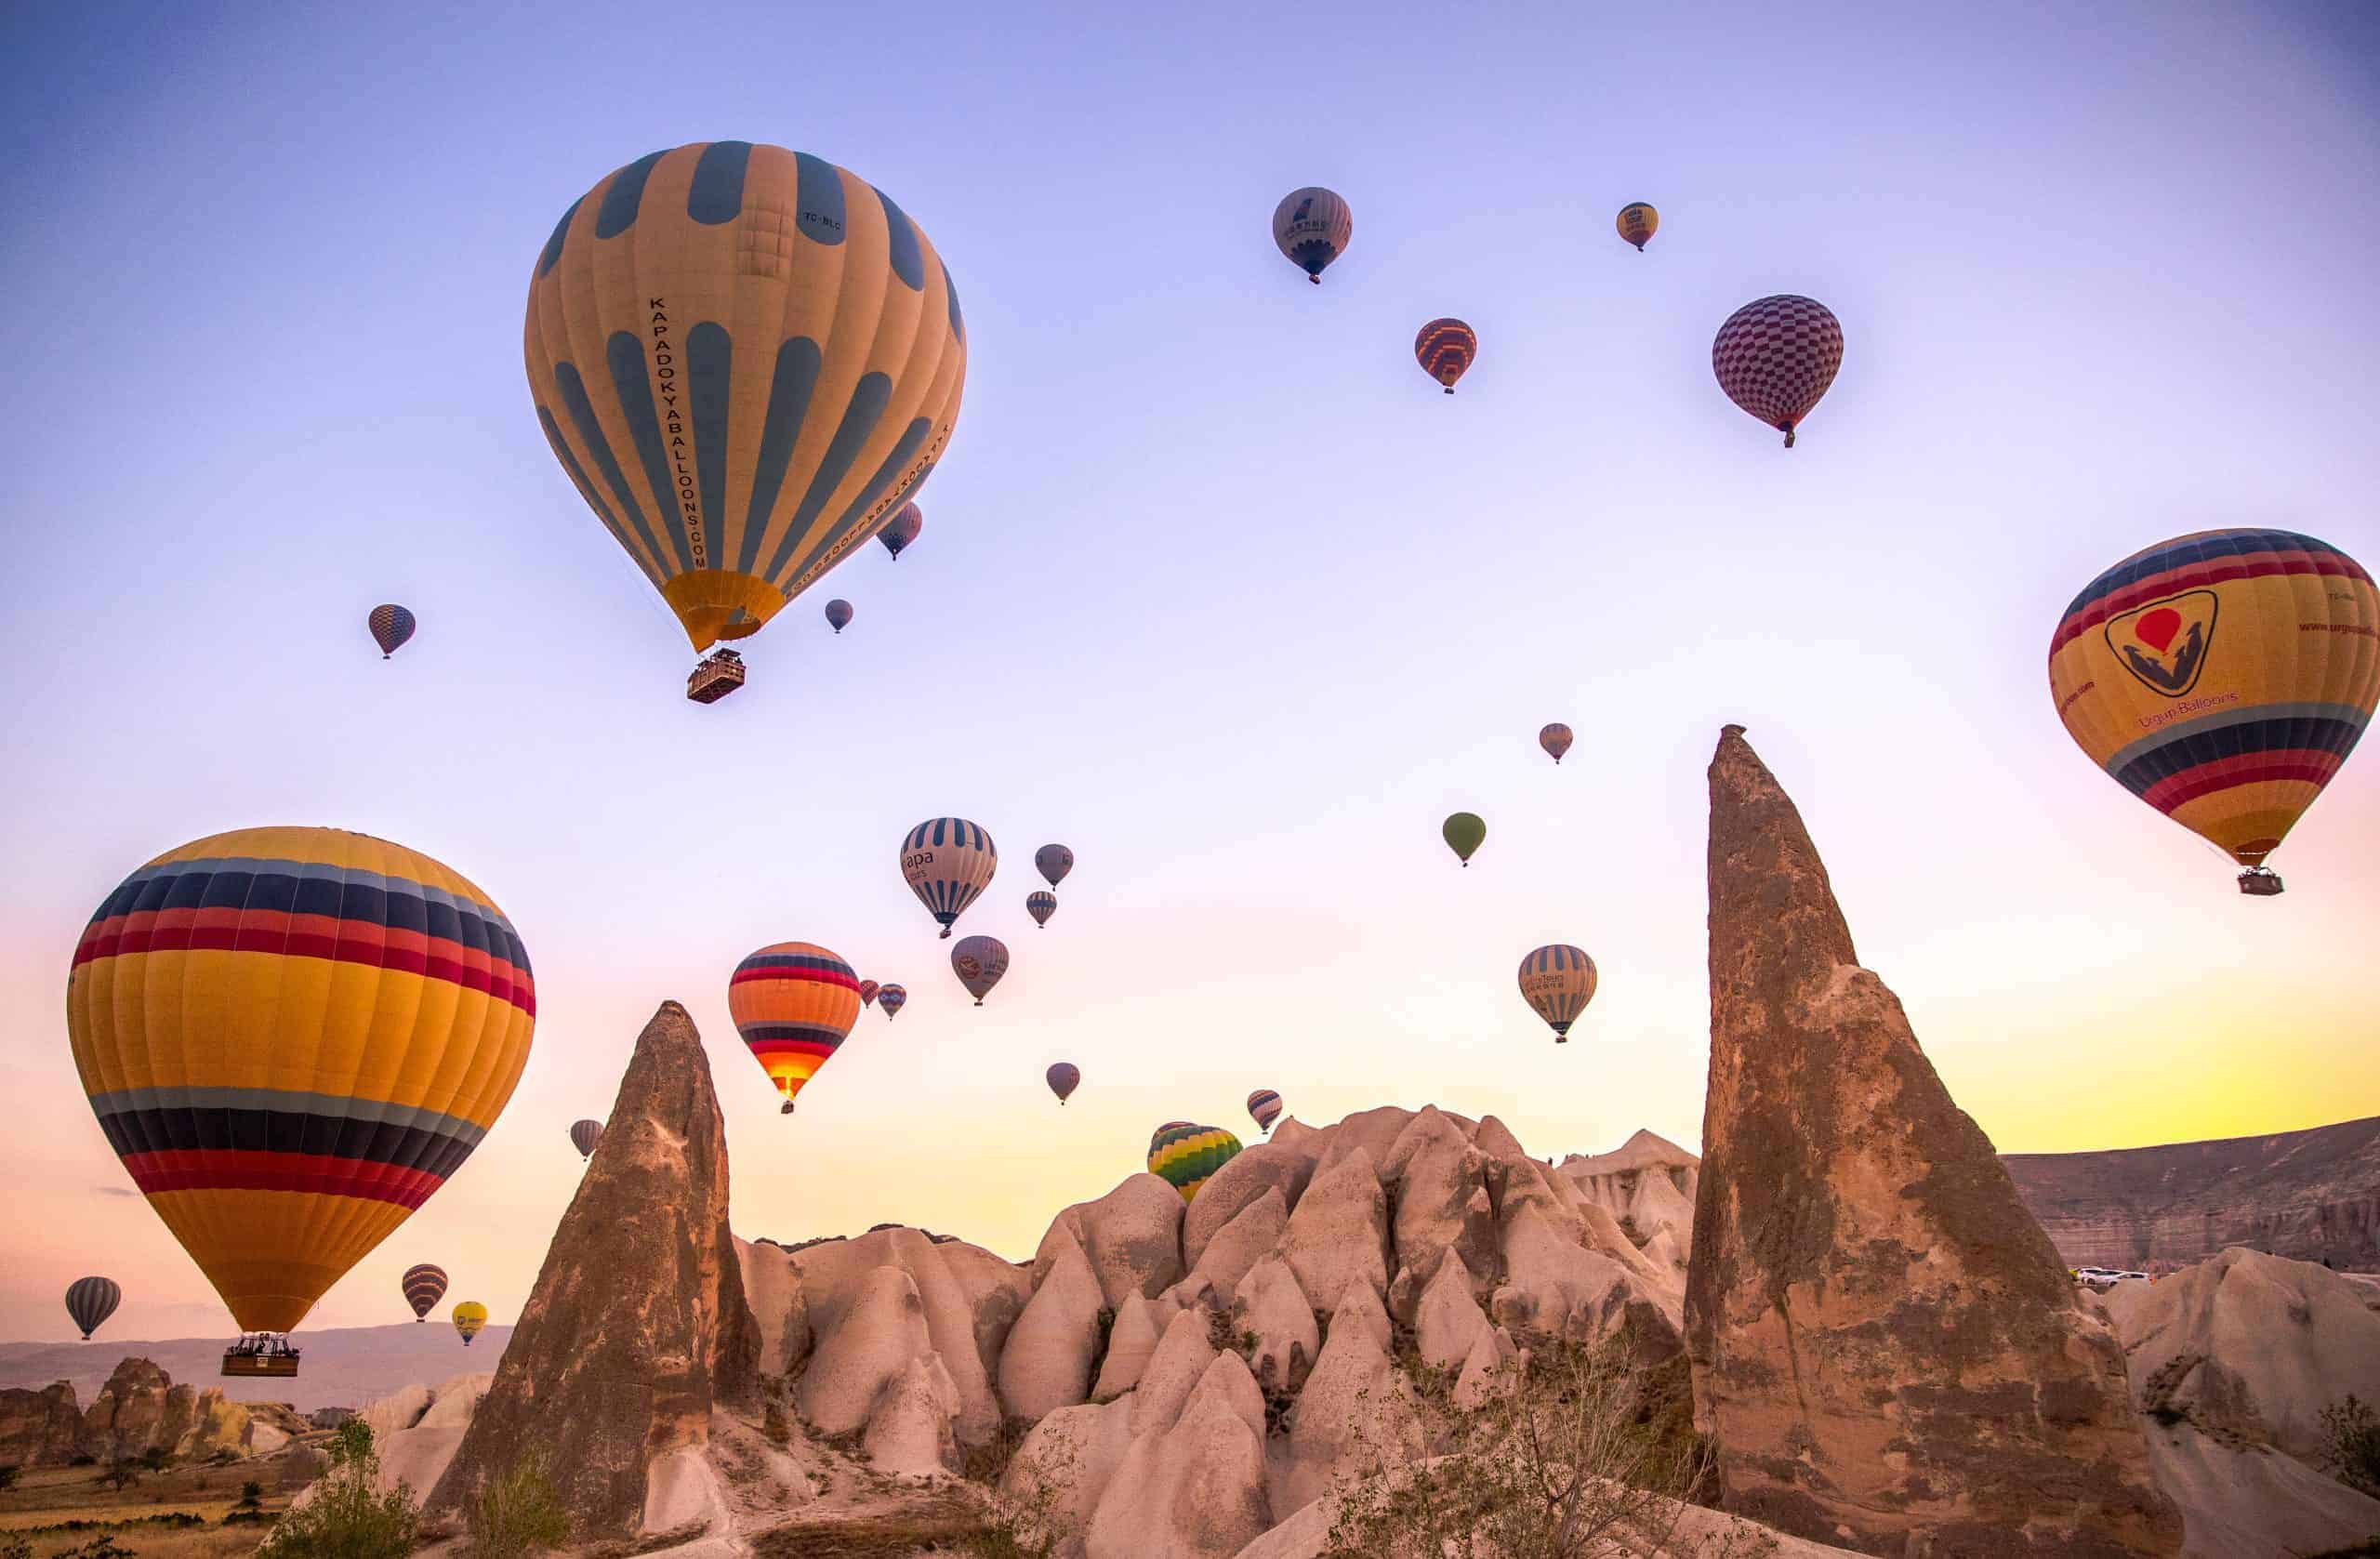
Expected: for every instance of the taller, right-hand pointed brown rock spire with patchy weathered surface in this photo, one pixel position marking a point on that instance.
(1886, 1348)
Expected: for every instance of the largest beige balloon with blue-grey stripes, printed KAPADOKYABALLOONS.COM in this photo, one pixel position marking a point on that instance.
(746, 361)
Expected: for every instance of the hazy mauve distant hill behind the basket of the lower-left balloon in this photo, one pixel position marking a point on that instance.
(344, 1367)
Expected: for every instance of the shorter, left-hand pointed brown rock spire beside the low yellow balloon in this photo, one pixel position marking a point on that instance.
(639, 1320)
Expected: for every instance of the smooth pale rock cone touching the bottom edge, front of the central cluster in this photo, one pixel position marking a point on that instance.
(1198, 1489)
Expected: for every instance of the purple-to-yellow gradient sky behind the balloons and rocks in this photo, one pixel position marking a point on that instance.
(1215, 587)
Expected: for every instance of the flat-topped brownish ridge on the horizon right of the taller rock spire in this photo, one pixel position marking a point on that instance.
(2312, 1196)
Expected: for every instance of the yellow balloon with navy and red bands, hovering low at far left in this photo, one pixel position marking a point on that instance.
(292, 1039)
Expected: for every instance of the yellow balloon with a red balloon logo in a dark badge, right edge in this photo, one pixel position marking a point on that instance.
(2224, 677)
